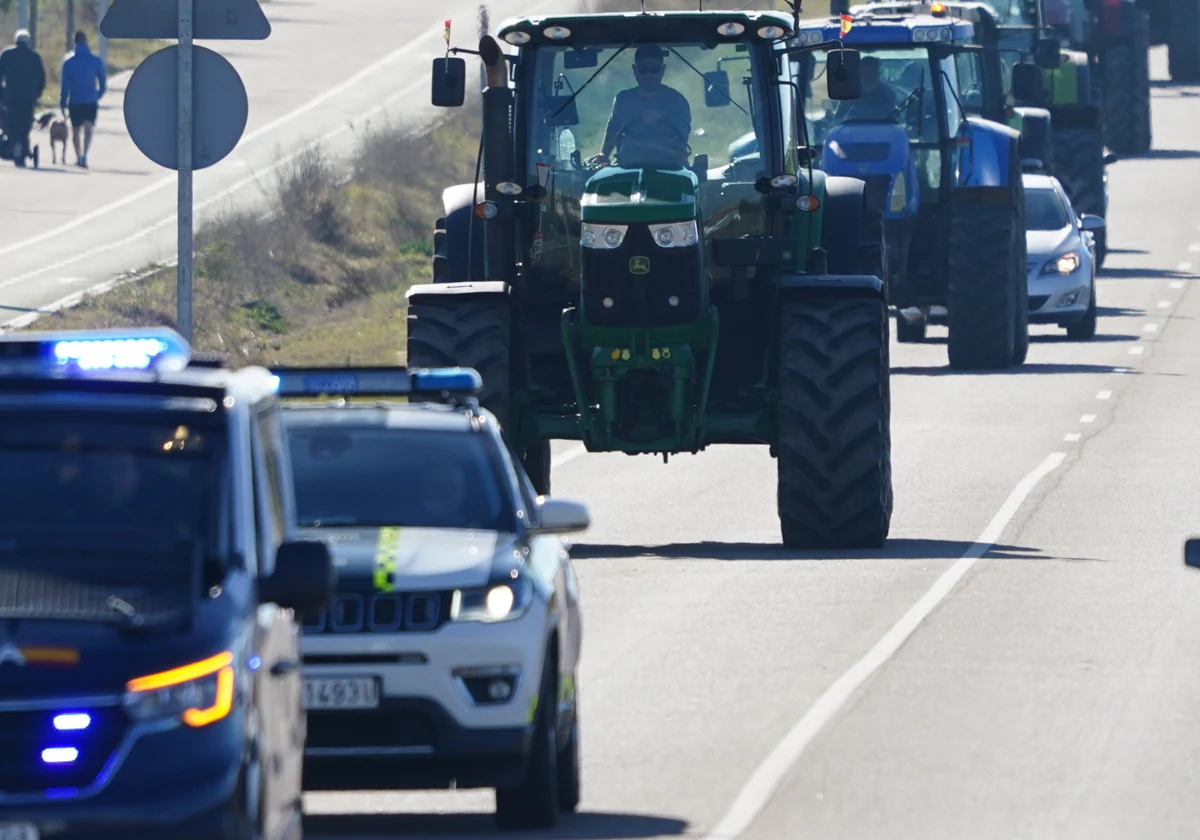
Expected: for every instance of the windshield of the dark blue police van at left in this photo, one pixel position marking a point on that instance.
(101, 507)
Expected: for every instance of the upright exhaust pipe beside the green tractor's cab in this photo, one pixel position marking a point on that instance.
(500, 233)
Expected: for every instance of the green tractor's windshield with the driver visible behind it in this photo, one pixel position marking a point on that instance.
(640, 106)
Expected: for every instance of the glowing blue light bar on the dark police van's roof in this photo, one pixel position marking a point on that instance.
(85, 351)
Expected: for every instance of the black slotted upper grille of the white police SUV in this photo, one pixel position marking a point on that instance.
(382, 613)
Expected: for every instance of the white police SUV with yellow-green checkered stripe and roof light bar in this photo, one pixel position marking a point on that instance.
(449, 656)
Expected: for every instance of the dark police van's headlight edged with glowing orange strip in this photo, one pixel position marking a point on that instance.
(199, 694)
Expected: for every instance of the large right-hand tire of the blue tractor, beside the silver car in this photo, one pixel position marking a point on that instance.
(982, 301)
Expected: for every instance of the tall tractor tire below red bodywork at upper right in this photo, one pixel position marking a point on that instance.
(1127, 123)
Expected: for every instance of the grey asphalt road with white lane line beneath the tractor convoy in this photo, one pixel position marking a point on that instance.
(1023, 661)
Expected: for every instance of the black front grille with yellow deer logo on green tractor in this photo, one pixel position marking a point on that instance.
(643, 301)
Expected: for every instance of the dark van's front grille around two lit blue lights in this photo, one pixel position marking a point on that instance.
(26, 735)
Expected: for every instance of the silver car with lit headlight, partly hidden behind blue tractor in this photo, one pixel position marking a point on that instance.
(1061, 259)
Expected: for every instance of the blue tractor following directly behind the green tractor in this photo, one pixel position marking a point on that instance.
(949, 184)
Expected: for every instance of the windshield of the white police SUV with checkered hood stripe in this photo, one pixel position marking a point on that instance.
(376, 477)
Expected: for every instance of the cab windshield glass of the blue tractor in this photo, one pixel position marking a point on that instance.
(903, 87)
